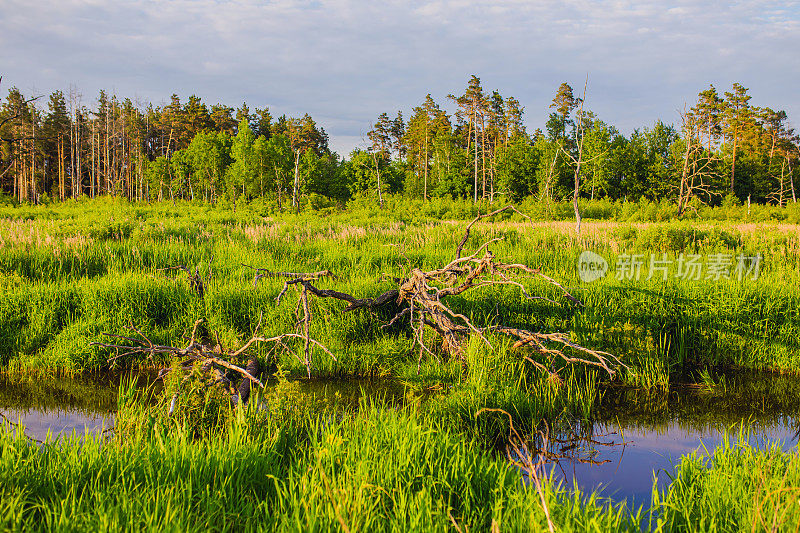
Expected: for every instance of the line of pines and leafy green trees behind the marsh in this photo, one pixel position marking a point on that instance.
(63, 148)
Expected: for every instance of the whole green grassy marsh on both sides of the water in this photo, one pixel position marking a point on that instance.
(433, 459)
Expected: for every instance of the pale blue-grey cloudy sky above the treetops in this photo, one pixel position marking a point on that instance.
(346, 61)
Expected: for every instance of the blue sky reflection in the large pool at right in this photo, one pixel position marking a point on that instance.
(641, 454)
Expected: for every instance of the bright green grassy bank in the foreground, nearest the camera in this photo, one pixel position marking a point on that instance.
(372, 470)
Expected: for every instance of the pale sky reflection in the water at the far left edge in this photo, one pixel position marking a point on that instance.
(60, 422)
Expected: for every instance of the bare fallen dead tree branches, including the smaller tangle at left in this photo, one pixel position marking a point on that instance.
(420, 297)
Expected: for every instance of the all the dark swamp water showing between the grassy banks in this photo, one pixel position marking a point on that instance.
(634, 436)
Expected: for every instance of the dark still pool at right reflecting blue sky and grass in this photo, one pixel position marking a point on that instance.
(637, 436)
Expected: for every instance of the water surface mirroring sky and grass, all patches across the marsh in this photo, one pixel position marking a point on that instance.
(647, 449)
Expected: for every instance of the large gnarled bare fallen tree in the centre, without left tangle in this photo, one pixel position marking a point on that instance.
(422, 294)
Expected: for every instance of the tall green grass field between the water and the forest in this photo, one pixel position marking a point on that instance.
(72, 271)
